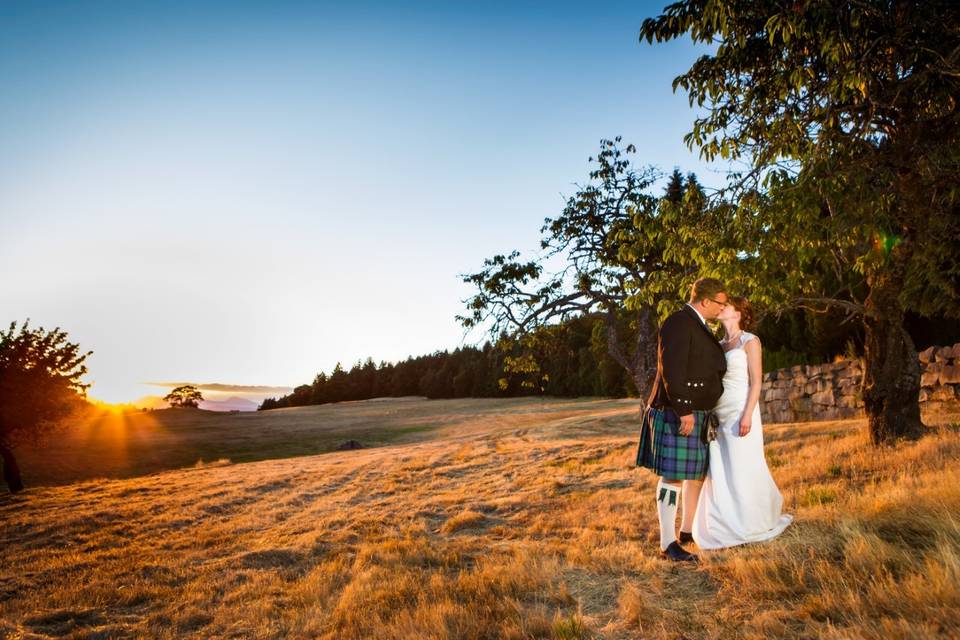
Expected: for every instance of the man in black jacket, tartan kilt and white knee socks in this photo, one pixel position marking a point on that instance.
(690, 368)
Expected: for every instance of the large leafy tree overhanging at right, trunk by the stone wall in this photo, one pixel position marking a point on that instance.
(844, 117)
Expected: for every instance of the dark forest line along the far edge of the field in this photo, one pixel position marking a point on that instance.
(571, 359)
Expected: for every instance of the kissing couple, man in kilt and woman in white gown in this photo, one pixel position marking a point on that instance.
(701, 431)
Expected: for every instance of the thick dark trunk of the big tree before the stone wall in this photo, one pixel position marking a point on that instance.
(891, 378)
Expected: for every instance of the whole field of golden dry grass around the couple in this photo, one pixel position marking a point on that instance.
(494, 519)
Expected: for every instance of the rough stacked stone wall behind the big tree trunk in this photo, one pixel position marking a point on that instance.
(832, 391)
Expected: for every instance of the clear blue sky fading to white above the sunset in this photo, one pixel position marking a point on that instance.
(247, 193)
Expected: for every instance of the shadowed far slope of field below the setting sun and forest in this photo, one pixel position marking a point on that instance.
(111, 444)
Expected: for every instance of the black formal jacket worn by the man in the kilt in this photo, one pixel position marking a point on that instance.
(690, 365)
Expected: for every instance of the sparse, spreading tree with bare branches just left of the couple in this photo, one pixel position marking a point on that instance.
(604, 248)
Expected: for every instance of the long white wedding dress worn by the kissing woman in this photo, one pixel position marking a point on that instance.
(739, 501)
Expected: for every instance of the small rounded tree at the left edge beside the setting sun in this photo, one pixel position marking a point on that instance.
(40, 388)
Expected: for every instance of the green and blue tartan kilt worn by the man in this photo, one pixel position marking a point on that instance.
(669, 454)
